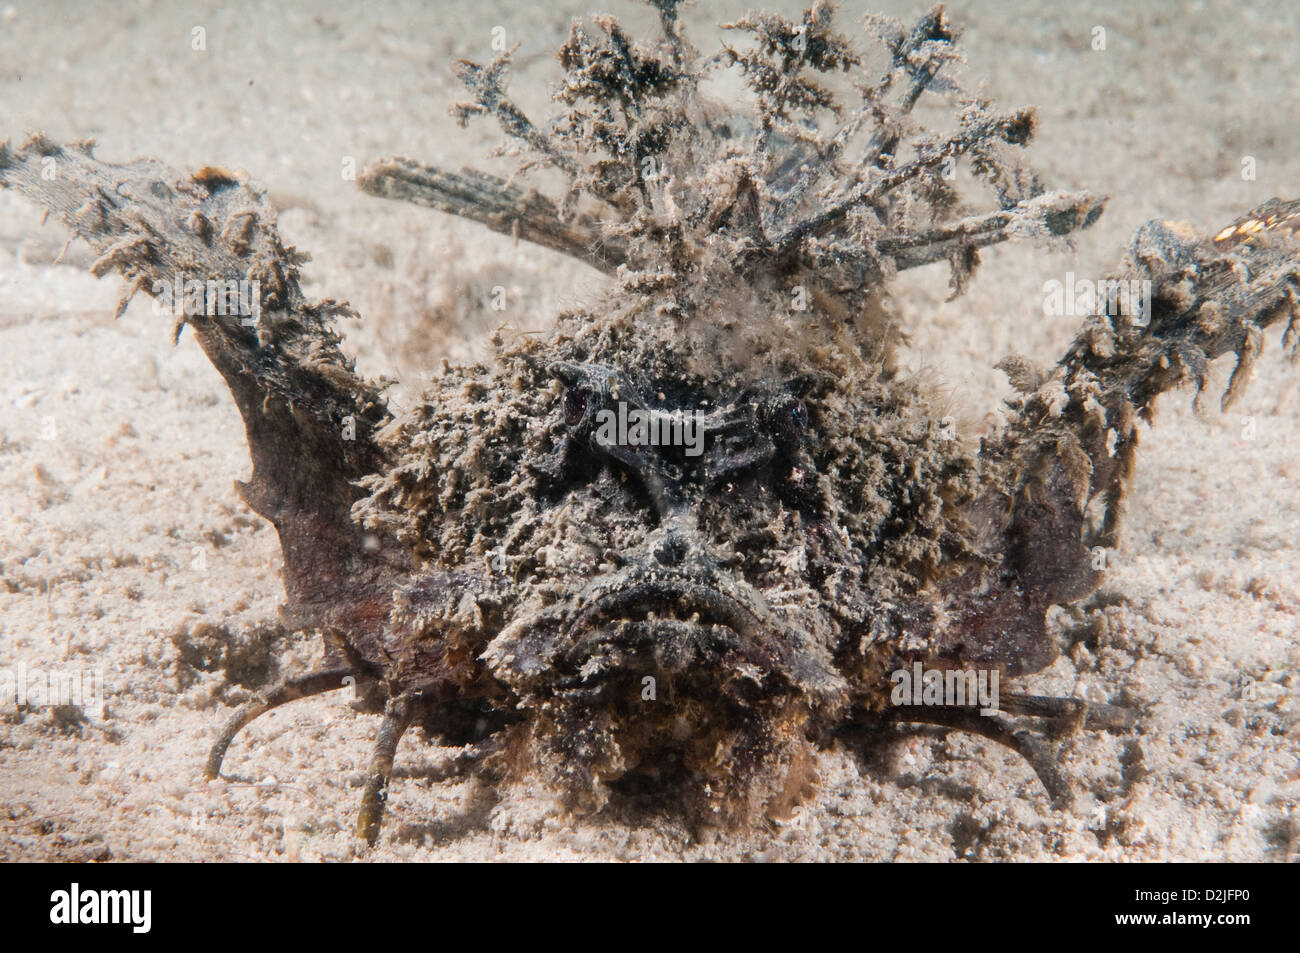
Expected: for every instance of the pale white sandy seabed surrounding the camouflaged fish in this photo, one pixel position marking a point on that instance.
(125, 551)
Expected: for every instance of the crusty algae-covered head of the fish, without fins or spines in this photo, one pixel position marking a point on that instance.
(733, 581)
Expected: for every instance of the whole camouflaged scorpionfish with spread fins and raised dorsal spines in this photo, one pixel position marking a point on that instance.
(694, 616)
